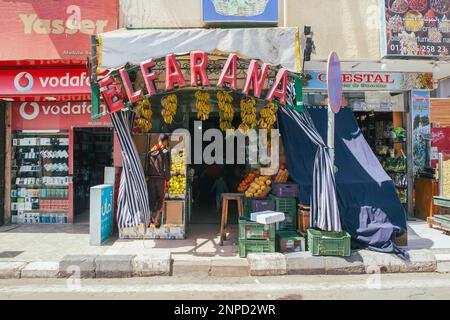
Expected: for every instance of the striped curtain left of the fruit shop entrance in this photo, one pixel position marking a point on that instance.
(132, 203)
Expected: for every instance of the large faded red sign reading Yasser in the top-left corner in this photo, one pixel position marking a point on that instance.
(50, 29)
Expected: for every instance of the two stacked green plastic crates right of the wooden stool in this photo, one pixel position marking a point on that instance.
(255, 237)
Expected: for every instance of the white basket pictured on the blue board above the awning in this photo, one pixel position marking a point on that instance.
(242, 8)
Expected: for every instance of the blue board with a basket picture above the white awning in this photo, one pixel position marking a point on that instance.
(251, 11)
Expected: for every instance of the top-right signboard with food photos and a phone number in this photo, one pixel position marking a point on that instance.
(415, 28)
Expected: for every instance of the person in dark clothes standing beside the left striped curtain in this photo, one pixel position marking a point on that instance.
(159, 176)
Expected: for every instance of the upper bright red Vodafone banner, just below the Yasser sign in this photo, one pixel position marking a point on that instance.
(44, 82)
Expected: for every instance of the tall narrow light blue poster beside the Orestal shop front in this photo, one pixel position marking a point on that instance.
(421, 128)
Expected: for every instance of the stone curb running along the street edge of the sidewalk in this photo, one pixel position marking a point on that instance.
(263, 264)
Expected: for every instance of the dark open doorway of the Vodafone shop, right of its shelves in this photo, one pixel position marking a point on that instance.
(93, 151)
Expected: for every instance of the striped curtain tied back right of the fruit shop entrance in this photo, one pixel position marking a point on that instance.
(324, 207)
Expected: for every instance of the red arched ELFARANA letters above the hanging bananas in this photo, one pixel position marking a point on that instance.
(115, 88)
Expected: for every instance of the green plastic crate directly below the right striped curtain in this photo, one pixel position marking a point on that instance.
(326, 243)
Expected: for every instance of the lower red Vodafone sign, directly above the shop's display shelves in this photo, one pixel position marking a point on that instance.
(54, 115)
